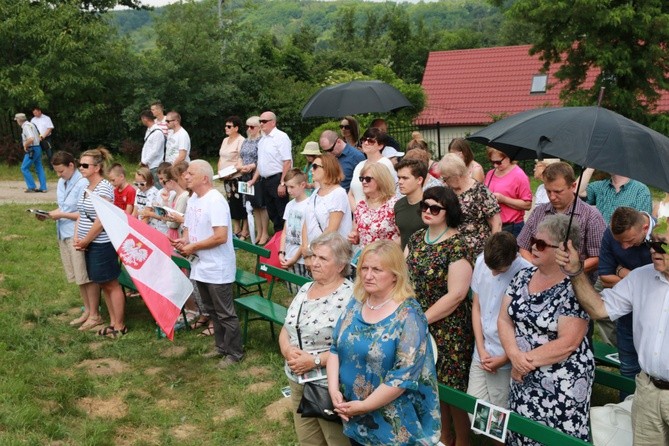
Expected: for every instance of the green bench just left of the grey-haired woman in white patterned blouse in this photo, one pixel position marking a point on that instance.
(267, 310)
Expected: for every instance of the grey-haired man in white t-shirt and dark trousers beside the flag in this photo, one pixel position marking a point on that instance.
(207, 238)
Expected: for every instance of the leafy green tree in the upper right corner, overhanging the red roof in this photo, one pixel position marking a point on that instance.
(626, 40)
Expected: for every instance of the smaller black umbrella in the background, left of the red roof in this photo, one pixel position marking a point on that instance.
(352, 98)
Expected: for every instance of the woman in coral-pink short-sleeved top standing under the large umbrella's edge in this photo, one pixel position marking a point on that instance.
(511, 187)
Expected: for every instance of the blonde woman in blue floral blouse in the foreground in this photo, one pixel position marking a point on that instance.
(381, 372)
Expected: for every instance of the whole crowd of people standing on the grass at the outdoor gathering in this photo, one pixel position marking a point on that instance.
(404, 253)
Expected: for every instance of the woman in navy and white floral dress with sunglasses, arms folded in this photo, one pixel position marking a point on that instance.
(543, 330)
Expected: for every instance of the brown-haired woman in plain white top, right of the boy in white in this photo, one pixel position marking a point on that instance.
(328, 209)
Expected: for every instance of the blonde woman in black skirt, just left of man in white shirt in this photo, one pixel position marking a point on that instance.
(247, 164)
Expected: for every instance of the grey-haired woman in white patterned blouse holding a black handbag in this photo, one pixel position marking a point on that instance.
(306, 337)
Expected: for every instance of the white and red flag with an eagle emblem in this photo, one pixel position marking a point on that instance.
(146, 254)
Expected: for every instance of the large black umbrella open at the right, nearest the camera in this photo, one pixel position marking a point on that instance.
(588, 136)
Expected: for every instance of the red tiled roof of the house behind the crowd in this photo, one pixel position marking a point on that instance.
(467, 87)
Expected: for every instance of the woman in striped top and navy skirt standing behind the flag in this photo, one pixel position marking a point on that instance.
(101, 260)
